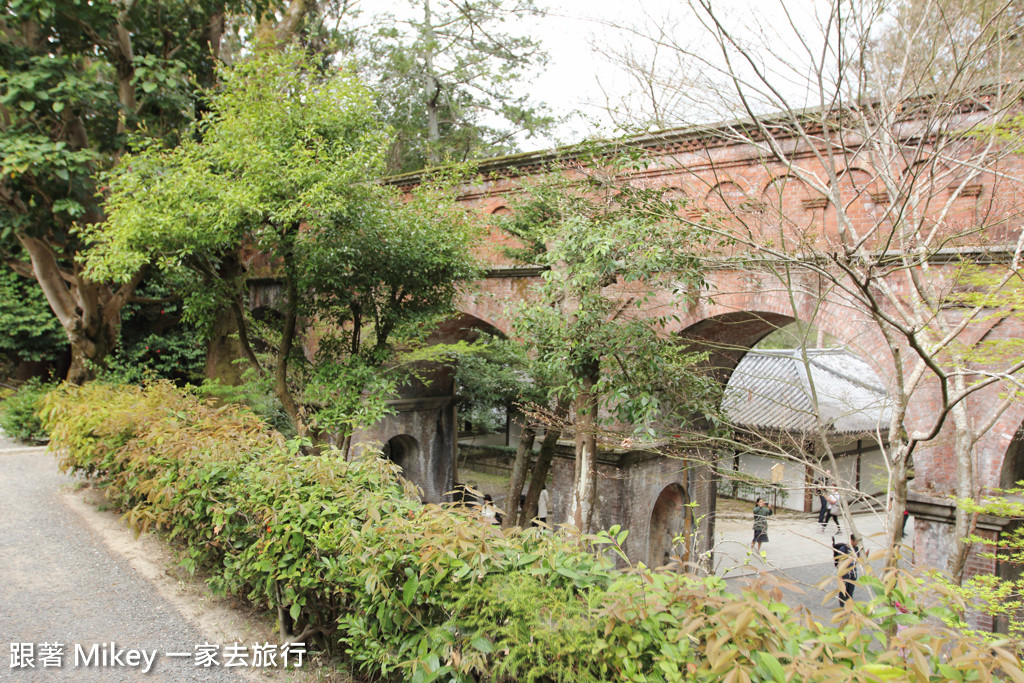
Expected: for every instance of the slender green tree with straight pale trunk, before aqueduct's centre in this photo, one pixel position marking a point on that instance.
(598, 320)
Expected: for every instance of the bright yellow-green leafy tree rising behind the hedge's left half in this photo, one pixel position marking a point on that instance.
(283, 167)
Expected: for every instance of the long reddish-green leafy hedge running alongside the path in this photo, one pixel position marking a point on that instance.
(347, 556)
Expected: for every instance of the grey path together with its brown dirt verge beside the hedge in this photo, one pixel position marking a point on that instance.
(74, 576)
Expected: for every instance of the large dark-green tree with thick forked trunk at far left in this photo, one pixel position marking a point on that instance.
(79, 81)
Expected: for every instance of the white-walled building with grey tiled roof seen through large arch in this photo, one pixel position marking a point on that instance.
(804, 417)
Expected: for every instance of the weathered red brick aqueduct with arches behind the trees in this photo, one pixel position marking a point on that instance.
(744, 306)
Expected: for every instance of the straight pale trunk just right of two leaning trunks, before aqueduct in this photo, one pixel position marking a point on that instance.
(585, 473)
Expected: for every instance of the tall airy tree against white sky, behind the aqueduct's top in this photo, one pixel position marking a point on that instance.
(444, 78)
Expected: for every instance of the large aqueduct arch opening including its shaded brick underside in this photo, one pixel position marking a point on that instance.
(797, 400)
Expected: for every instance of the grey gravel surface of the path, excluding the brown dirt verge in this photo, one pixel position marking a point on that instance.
(60, 584)
